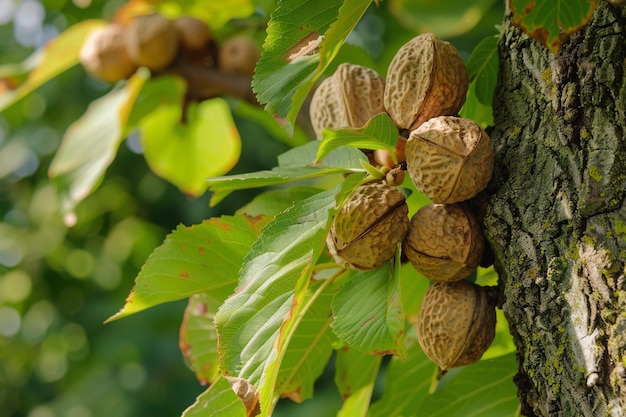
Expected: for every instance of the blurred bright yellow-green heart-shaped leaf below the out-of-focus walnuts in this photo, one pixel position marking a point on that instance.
(188, 152)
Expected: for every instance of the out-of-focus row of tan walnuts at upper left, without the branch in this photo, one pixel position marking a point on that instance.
(115, 51)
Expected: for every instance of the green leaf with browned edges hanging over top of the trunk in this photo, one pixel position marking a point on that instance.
(551, 22)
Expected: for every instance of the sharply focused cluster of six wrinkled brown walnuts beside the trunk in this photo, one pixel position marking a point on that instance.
(449, 159)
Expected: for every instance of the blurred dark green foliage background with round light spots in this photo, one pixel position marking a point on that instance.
(58, 284)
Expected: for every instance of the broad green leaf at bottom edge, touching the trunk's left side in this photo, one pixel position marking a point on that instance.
(485, 388)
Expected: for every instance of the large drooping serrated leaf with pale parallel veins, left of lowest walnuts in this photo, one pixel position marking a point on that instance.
(249, 322)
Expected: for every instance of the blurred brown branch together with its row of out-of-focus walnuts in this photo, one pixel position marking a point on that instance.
(182, 47)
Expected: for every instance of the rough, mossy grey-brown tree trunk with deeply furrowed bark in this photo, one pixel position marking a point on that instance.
(557, 218)
